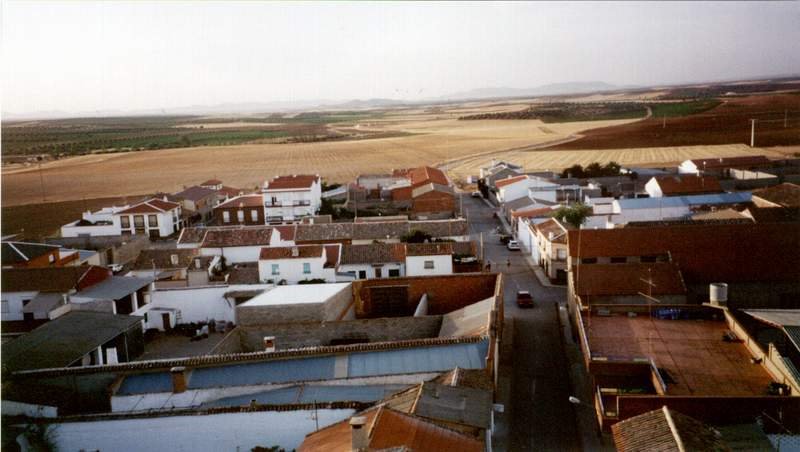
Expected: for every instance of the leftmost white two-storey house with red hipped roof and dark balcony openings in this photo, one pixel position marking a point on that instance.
(154, 217)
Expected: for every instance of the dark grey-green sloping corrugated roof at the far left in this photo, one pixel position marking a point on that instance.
(61, 342)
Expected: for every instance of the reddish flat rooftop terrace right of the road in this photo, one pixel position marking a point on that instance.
(692, 352)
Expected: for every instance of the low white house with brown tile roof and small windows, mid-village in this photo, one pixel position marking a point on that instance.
(297, 263)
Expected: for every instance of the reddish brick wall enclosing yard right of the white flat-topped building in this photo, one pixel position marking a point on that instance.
(445, 293)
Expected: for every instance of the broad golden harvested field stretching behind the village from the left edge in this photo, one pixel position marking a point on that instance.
(429, 141)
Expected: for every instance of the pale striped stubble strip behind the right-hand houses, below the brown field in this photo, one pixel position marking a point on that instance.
(649, 157)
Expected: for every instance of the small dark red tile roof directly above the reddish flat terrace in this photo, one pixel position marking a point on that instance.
(627, 279)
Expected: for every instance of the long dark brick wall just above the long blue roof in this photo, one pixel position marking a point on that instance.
(293, 335)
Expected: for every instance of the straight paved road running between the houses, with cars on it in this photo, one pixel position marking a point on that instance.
(540, 416)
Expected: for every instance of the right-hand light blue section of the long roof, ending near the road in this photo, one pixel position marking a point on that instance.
(422, 359)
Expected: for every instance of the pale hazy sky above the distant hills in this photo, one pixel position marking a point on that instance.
(86, 56)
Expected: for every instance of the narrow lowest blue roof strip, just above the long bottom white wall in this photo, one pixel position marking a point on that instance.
(309, 394)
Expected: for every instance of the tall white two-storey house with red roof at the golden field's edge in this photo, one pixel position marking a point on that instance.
(290, 198)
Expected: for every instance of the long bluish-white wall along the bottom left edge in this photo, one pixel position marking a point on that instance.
(218, 432)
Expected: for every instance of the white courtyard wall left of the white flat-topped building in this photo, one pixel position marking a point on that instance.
(198, 304)
